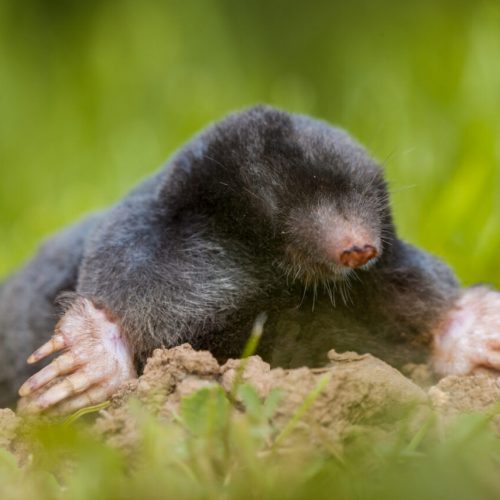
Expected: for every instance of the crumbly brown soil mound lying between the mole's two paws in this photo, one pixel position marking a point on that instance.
(357, 390)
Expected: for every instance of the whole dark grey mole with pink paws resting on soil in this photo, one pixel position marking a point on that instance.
(263, 211)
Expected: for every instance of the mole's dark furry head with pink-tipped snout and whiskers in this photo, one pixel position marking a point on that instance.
(324, 198)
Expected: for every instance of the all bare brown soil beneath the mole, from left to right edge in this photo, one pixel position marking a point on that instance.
(353, 391)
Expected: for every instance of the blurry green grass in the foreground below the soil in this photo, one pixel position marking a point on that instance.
(213, 451)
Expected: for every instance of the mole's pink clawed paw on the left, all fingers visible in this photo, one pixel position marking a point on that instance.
(95, 362)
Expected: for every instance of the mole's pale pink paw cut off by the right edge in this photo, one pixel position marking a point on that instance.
(469, 339)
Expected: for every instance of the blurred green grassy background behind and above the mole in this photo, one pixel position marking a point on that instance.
(96, 95)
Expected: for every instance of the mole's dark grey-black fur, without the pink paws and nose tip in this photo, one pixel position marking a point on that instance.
(232, 226)
